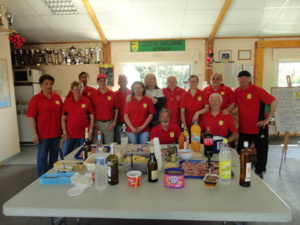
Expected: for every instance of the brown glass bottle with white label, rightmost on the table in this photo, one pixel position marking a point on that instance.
(245, 169)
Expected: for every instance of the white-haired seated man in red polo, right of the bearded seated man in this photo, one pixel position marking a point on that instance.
(219, 124)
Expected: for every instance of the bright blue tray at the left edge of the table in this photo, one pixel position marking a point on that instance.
(56, 178)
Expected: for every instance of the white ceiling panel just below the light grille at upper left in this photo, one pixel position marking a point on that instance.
(68, 22)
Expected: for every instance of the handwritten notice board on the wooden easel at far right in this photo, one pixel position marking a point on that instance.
(287, 114)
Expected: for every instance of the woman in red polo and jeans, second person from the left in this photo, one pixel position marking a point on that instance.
(77, 114)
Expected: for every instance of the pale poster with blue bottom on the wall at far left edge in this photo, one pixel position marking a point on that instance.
(4, 87)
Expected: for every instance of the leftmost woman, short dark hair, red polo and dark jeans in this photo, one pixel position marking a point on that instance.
(44, 116)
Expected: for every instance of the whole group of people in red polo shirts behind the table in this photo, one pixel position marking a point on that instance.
(148, 112)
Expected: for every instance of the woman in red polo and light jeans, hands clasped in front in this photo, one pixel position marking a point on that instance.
(138, 114)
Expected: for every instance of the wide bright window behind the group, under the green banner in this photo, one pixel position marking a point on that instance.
(138, 71)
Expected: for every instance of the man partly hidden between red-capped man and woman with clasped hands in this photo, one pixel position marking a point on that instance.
(121, 95)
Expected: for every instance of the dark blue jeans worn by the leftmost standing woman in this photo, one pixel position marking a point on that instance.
(51, 146)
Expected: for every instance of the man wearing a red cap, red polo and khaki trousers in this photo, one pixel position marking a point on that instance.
(106, 110)
